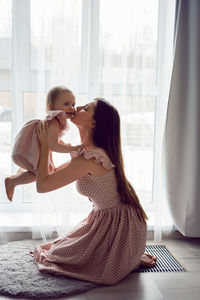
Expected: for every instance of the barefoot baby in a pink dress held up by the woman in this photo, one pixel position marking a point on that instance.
(60, 105)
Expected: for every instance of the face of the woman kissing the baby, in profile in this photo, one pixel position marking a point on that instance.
(83, 116)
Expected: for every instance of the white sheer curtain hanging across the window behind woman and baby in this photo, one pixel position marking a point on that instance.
(119, 50)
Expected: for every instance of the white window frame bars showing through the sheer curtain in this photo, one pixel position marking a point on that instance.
(24, 80)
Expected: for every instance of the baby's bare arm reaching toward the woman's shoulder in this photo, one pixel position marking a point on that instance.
(53, 140)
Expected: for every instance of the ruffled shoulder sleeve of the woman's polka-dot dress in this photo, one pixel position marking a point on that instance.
(100, 157)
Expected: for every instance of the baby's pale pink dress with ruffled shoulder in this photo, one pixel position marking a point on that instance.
(26, 150)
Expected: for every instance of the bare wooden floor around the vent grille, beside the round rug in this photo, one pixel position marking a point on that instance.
(155, 286)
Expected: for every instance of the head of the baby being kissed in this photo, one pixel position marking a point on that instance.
(61, 98)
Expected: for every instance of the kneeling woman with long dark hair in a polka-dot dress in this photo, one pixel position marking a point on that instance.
(110, 242)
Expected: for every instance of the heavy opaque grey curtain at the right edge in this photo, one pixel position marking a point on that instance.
(183, 119)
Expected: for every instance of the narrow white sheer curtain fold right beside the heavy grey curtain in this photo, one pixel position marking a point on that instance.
(162, 216)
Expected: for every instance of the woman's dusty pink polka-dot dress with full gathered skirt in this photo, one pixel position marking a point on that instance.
(108, 244)
